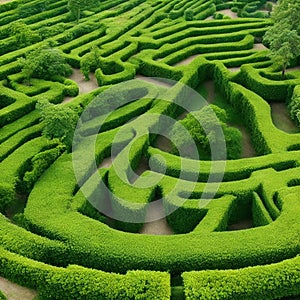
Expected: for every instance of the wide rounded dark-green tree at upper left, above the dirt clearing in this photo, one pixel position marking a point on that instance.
(44, 62)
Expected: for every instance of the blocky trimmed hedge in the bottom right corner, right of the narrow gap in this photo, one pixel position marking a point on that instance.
(274, 281)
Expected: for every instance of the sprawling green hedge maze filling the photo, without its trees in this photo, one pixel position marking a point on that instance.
(53, 240)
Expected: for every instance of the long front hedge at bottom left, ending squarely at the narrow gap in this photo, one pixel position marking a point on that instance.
(76, 282)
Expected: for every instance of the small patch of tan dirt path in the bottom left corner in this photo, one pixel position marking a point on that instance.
(16, 292)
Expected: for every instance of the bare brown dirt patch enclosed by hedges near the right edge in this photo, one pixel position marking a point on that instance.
(281, 118)
